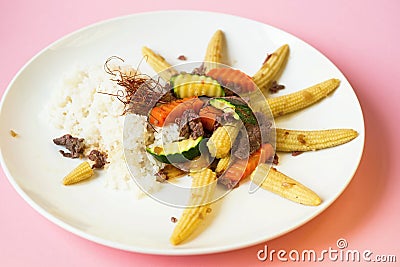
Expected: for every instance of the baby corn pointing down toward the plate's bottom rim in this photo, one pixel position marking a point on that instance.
(203, 187)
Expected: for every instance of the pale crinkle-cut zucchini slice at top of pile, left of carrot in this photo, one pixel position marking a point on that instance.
(188, 85)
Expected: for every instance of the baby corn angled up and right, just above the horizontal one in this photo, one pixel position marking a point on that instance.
(285, 104)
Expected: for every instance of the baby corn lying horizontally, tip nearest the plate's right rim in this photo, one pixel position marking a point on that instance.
(296, 140)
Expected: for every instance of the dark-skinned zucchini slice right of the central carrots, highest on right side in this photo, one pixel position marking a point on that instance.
(239, 109)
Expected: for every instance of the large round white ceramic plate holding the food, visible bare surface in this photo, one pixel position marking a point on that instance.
(117, 218)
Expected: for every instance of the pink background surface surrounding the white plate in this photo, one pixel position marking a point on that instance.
(360, 37)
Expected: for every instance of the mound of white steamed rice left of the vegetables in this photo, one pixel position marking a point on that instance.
(77, 108)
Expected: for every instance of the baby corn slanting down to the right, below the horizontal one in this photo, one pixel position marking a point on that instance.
(276, 182)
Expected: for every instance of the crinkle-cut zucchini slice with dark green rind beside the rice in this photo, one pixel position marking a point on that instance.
(177, 152)
